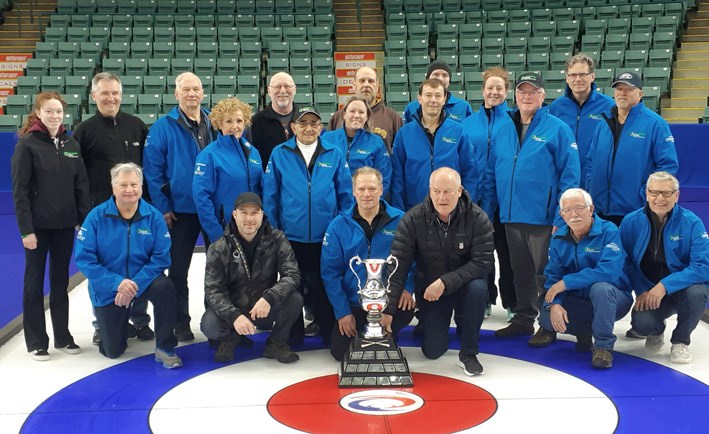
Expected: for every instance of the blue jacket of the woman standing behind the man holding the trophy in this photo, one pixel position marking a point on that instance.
(366, 149)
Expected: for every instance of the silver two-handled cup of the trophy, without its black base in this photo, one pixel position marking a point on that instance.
(373, 296)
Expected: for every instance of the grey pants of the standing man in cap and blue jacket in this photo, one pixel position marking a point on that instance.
(529, 250)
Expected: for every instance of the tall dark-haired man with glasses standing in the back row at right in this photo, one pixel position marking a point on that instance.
(581, 105)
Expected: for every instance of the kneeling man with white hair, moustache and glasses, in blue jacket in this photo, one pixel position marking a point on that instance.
(584, 297)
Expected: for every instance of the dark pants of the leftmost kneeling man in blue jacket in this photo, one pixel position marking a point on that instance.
(113, 319)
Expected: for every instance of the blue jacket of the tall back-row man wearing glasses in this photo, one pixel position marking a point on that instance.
(582, 120)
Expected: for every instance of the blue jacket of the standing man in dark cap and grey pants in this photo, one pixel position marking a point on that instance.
(526, 180)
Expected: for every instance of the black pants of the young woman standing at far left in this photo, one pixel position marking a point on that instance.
(58, 243)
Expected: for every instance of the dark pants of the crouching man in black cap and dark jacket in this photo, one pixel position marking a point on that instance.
(284, 315)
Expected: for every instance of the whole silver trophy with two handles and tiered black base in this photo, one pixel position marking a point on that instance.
(374, 360)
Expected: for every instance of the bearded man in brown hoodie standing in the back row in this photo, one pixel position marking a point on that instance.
(384, 120)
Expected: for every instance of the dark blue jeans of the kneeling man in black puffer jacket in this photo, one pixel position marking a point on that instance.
(470, 301)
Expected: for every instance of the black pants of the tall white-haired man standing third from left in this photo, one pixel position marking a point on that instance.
(184, 233)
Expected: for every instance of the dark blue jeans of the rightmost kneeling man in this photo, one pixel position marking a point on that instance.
(689, 306)
